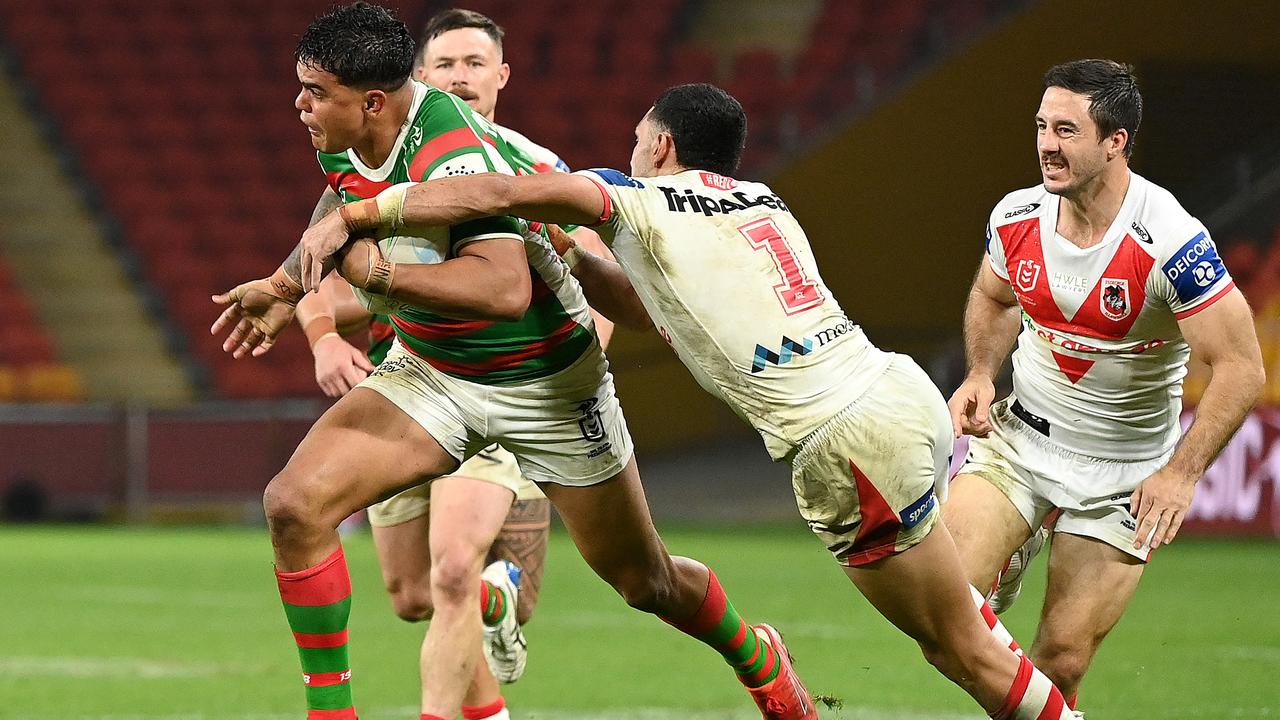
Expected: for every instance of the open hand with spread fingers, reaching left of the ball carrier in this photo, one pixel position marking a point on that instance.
(257, 313)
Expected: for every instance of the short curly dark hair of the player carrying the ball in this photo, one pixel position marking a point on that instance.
(364, 45)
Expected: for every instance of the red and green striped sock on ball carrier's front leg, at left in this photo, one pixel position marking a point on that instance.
(318, 604)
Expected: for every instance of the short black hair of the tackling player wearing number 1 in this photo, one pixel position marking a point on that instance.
(707, 125)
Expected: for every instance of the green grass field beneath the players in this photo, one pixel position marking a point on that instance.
(185, 625)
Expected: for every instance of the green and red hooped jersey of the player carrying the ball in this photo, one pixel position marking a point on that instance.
(445, 138)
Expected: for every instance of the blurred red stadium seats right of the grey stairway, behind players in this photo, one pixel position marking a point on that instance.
(180, 115)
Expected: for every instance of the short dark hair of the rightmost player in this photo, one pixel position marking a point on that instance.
(1113, 93)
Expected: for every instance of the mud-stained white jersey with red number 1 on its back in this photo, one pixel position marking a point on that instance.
(732, 285)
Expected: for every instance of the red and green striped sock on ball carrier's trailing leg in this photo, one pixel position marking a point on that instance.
(720, 626)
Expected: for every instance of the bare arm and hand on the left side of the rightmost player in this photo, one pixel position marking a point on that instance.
(991, 325)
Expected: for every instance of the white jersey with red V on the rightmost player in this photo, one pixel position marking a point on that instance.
(1101, 357)
